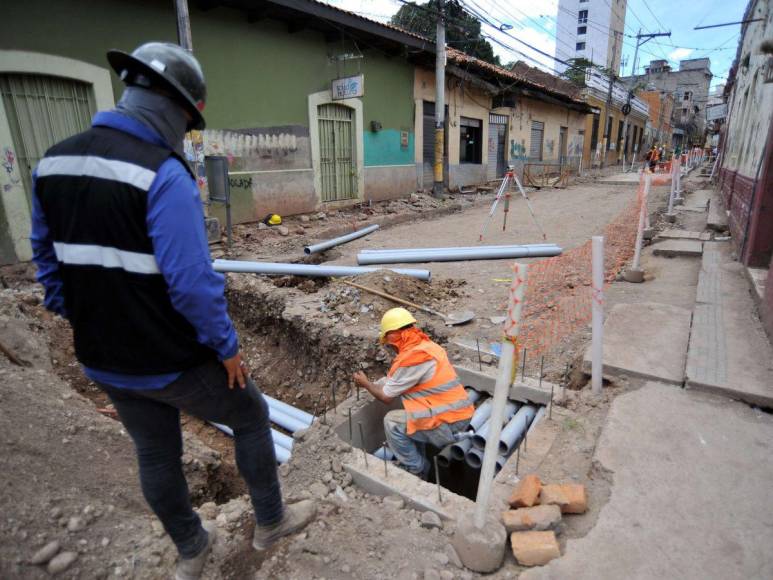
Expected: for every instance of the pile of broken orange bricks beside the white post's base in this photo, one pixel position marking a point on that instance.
(536, 515)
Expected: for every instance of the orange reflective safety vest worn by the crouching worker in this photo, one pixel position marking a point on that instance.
(442, 399)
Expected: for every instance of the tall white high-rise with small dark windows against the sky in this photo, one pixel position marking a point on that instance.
(591, 29)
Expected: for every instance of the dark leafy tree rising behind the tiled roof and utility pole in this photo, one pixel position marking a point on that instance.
(462, 29)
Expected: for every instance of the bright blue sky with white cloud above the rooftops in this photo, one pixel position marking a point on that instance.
(534, 22)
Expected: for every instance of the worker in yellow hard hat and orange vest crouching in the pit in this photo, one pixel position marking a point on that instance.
(435, 404)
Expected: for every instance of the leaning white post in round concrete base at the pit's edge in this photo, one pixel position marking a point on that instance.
(501, 388)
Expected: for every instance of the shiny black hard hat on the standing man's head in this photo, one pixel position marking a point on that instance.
(167, 66)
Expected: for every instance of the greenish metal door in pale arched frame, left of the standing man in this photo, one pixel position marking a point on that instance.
(41, 111)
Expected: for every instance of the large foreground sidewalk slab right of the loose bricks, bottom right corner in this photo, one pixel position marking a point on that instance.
(691, 477)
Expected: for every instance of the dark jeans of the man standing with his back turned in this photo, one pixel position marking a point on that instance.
(152, 419)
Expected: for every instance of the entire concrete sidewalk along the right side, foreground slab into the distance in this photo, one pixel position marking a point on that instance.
(691, 468)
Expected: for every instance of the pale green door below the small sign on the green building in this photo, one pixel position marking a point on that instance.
(338, 173)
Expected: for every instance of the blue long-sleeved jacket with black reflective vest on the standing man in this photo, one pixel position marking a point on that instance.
(119, 240)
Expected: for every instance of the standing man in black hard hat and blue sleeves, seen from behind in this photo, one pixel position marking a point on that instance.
(119, 241)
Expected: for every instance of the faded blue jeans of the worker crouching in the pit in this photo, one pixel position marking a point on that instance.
(409, 449)
